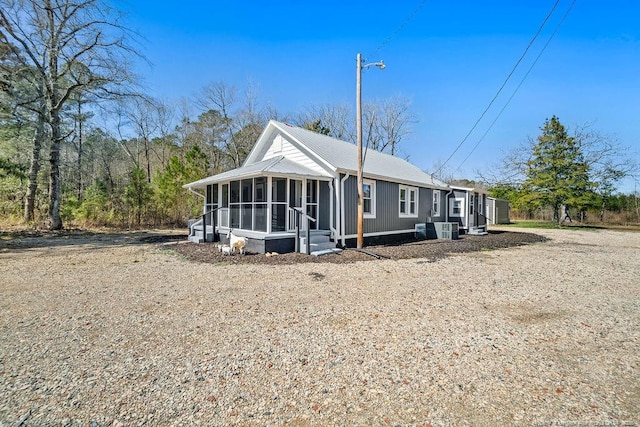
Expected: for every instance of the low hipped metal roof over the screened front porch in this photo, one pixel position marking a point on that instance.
(273, 166)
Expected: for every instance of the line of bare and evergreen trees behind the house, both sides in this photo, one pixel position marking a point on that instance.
(80, 140)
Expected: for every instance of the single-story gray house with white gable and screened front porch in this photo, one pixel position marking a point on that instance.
(296, 179)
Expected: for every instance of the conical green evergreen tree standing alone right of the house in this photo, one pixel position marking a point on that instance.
(557, 174)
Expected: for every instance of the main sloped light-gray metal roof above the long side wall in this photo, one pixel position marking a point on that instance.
(342, 156)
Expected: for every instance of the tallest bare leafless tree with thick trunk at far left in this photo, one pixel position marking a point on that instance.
(73, 46)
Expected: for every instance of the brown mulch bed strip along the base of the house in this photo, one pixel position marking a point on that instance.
(432, 250)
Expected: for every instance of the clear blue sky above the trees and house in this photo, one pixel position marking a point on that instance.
(450, 59)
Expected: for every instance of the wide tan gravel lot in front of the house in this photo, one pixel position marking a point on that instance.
(121, 331)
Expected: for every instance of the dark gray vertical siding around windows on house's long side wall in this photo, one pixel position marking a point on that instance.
(387, 217)
